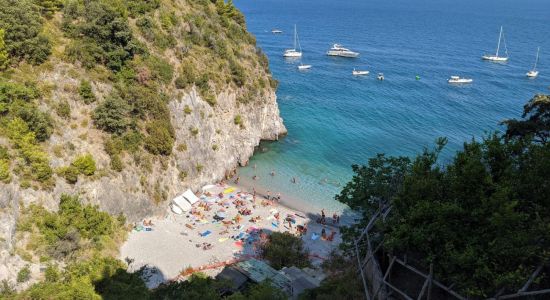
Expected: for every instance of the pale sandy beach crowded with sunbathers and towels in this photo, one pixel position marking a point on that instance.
(213, 236)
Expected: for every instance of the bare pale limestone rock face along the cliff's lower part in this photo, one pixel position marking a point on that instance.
(209, 145)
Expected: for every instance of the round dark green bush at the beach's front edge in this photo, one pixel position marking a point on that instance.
(285, 250)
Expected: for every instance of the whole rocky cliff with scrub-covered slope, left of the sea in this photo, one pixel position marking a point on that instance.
(214, 91)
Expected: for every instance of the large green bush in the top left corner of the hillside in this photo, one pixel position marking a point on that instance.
(22, 23)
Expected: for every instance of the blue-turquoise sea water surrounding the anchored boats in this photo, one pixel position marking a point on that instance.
(335, 120)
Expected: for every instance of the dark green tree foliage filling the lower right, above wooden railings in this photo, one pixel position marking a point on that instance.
(482, 220)
